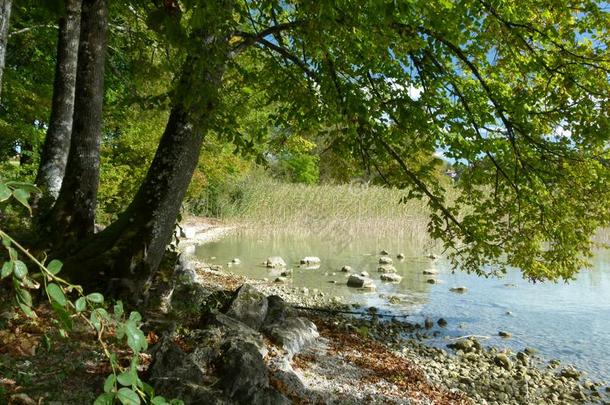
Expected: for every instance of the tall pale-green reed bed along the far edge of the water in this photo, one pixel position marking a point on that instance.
(264, 204)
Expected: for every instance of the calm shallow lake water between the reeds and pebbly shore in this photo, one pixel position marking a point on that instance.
(570, 322)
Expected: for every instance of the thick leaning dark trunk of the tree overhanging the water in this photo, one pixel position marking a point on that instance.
(130, 250)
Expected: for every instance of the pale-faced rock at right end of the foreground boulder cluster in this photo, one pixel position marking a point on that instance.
(292, 334)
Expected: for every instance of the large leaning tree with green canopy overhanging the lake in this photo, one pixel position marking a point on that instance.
(518, 93)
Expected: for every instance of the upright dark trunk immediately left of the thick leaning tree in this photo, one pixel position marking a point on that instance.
(73, 215)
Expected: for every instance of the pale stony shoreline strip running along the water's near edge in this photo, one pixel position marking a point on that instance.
(484, 375)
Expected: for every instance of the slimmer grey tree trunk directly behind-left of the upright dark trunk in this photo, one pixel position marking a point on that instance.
(57, 142)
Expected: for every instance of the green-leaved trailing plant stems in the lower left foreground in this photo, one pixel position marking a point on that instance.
(123, 385)
